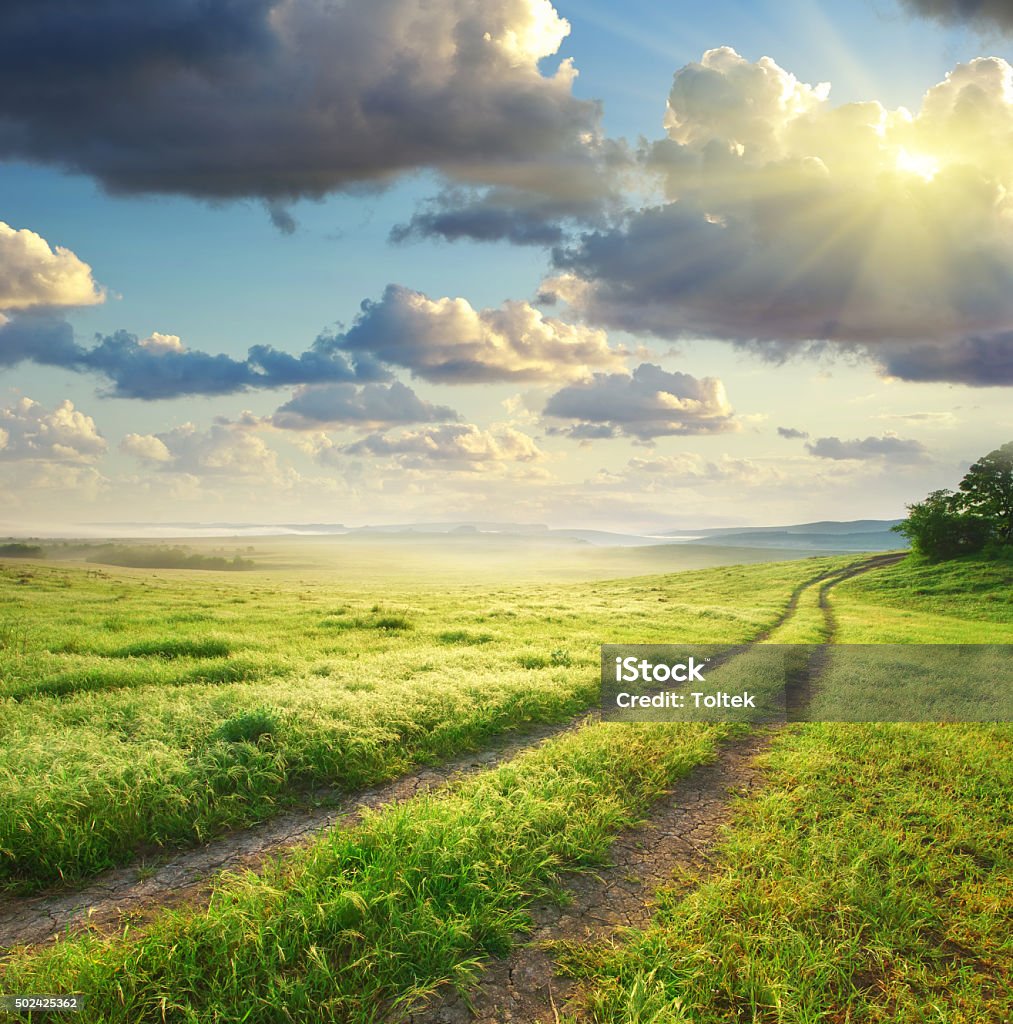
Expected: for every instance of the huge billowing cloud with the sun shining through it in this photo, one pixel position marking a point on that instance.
(789, 222)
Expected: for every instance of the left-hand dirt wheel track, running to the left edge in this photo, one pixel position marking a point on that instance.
(135, 893)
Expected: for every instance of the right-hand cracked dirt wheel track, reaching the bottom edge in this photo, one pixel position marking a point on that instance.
(681, 837)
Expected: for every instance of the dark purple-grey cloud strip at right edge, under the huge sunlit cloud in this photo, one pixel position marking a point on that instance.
(978, 362)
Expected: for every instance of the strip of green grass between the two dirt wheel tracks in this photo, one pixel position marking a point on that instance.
(373, 919)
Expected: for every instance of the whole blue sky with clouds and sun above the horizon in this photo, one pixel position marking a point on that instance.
(636, 268)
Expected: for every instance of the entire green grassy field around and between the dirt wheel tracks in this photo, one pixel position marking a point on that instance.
(146, 712)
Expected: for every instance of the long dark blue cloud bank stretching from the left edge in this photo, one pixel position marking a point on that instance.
(138, 369)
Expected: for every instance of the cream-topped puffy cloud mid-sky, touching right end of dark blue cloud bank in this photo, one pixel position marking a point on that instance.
(449, 342)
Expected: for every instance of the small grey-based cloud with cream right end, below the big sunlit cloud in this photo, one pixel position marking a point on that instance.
(650, 403)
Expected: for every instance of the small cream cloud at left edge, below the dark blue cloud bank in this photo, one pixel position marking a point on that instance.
(29, 432)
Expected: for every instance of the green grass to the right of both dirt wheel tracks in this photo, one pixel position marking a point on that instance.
(870, 881)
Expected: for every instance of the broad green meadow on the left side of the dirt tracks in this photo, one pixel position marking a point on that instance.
(114, 733)
